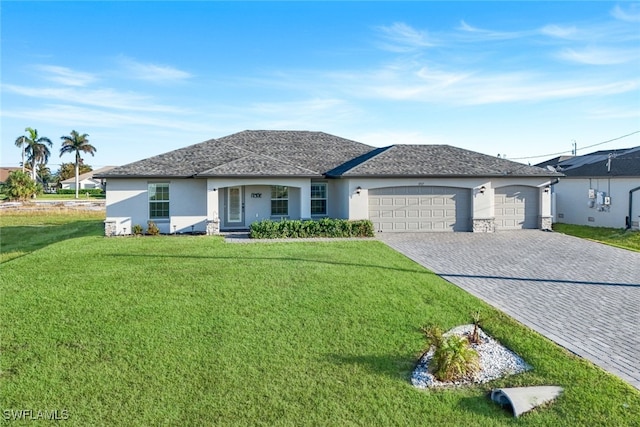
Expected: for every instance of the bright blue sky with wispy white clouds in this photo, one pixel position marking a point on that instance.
(522, 79)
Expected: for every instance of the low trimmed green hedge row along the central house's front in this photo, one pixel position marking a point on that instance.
(326, 227)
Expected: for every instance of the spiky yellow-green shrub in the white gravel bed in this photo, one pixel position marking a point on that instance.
(453, 358)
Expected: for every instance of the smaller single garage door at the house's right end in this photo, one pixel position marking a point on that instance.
(516, 207)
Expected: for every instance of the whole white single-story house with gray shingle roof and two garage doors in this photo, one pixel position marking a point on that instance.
(230, 182)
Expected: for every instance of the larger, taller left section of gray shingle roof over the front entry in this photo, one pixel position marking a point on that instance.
(250, 153)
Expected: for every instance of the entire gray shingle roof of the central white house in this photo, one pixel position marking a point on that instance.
(314, 154)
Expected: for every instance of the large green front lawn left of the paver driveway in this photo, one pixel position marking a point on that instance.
(193, 331)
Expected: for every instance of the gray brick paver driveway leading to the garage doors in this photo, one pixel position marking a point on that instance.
(583, 295)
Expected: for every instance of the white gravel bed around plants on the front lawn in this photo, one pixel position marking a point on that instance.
(496, 361)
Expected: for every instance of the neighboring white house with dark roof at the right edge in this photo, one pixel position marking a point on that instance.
(599, 189)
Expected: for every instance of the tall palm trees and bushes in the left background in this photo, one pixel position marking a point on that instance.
(36, 152)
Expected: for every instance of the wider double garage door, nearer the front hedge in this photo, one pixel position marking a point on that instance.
(417, 209)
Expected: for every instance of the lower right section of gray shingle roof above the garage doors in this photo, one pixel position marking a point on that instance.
(439, 160)
